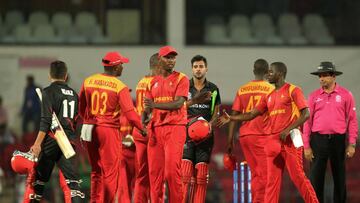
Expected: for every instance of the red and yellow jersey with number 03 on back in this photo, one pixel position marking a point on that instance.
(101, 98)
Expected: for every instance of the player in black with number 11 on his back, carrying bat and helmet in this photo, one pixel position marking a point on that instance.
(63, 100)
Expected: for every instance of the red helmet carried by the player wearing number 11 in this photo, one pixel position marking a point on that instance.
(22, 162)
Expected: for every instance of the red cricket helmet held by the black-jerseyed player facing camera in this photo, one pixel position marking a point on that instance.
(198, 129)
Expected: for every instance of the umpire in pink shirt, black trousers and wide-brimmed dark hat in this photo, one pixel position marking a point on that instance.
(332, 120)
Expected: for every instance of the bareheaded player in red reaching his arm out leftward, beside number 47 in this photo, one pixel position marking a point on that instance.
(287, 110)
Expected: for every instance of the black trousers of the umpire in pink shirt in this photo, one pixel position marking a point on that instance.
(328, 147)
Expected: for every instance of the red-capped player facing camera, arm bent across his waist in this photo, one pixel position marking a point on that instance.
(166, 99)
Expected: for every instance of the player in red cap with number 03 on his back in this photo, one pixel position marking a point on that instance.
(102, 96)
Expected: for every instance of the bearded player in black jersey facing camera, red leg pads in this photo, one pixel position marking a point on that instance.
(196, 157)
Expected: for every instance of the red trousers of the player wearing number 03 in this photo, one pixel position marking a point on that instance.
(104, 152)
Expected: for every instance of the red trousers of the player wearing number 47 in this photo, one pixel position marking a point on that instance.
(253, 149)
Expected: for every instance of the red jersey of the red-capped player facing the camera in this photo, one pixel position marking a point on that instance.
(165, 90)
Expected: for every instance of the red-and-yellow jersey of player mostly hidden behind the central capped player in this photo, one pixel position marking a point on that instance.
(141, 88)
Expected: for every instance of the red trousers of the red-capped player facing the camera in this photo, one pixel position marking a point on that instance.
(165, 149)
